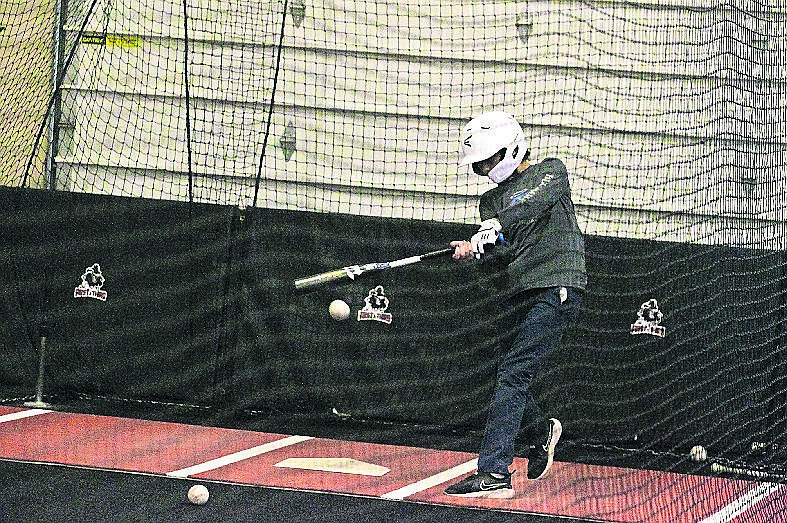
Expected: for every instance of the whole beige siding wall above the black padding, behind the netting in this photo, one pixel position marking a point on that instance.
(669, 130)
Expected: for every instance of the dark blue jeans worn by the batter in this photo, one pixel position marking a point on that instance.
(533, 326)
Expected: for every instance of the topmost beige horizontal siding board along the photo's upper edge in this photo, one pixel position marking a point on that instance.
(707, 40)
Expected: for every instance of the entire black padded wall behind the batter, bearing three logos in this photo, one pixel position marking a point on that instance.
(200, 308)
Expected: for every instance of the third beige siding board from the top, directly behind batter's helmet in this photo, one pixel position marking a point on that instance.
(418, 155)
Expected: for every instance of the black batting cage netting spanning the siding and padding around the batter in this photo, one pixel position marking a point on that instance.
(198, 156)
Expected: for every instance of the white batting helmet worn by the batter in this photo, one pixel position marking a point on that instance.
(485, 135)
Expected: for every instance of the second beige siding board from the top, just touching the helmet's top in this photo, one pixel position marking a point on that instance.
(588, 99)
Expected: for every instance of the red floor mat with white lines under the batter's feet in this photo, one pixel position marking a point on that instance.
(572, 490)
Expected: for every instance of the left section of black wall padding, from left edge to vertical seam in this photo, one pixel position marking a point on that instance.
(156, 333)
